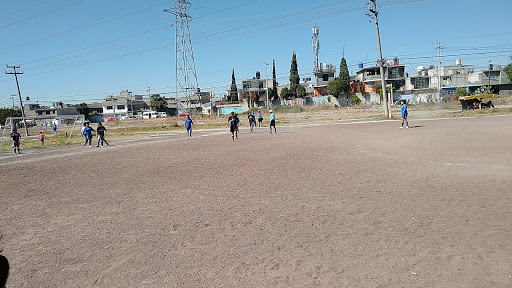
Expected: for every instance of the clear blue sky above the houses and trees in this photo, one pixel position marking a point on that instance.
(83, 50)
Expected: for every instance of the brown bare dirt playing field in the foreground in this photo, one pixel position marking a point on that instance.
(338, 205)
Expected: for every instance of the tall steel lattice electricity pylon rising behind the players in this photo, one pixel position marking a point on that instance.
(186, 78)
